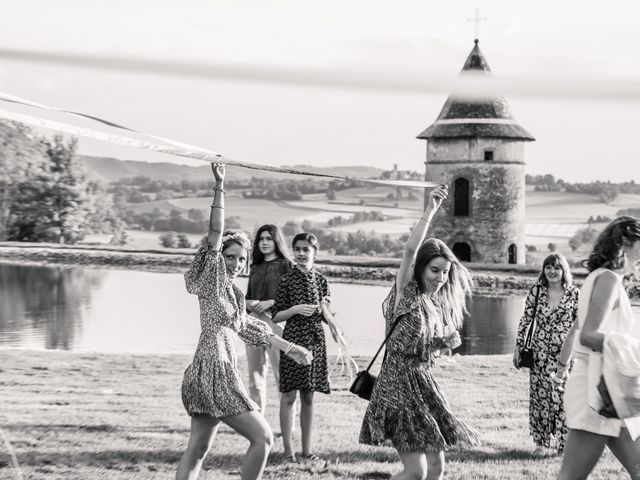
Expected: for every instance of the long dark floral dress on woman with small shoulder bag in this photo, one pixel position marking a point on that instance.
(547, 423)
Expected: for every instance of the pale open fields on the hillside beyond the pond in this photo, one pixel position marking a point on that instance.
(551, 216)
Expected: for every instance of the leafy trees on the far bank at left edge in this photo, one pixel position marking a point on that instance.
(45, 193)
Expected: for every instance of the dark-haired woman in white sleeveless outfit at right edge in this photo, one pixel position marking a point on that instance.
(604, 309)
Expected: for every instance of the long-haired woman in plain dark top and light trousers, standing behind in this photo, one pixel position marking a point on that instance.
(270, 261)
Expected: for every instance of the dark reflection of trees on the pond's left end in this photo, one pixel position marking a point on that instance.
(51, 300)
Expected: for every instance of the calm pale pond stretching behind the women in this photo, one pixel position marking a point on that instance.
(85, 309)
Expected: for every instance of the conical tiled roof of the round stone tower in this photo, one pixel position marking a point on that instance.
(463, 116)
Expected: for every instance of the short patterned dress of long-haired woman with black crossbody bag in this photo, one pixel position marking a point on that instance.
(407, 406)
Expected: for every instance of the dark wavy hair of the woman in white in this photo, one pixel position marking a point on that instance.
(608, 250)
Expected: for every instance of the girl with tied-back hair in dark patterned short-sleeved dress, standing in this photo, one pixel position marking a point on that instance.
(298, 301)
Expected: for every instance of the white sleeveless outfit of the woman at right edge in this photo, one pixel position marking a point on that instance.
(580, 416)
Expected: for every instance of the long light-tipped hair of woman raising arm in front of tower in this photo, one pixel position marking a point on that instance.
(451, 298)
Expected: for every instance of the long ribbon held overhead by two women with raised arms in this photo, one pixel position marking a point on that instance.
(176, 148)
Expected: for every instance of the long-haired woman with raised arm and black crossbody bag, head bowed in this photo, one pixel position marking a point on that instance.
(407, 406)
